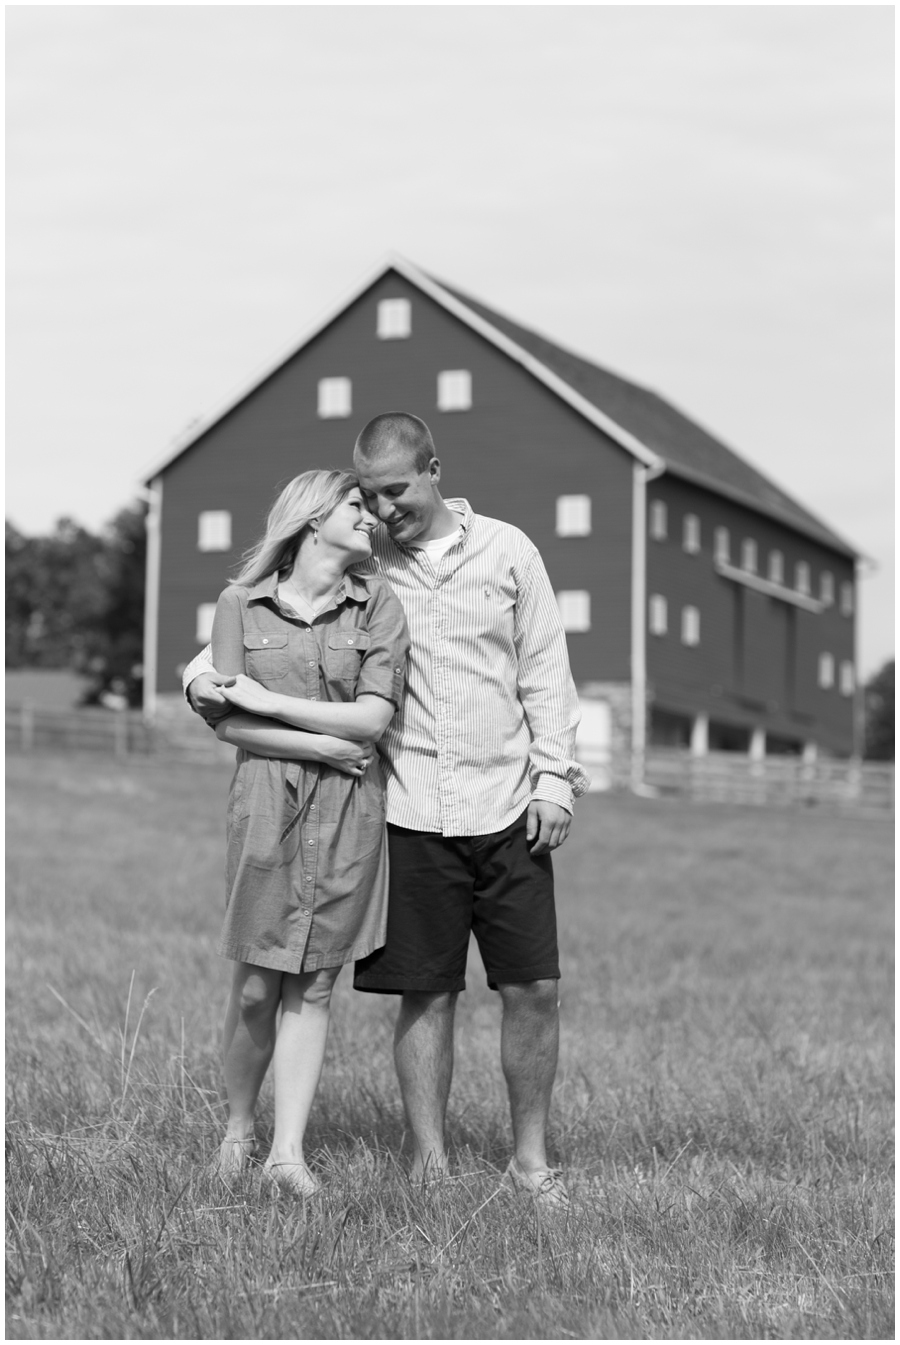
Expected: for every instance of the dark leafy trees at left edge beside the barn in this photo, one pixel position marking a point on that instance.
(76, 601)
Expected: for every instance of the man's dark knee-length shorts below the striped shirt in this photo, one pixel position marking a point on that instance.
(443, 890)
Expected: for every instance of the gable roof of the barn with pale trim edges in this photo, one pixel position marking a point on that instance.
(646, 426)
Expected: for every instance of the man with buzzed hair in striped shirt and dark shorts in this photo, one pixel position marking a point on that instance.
(481, 782)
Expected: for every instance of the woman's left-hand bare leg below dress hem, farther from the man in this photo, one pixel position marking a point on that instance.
(248, 1042)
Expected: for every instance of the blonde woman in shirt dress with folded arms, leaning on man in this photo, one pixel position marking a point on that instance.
(318, 656)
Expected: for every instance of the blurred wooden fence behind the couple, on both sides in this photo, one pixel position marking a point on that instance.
(835, 786)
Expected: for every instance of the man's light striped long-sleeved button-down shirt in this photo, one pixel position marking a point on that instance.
(490, 709)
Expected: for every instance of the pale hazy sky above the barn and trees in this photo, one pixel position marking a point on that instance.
(699, 198)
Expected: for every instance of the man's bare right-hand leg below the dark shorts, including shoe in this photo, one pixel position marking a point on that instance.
(529, 1054)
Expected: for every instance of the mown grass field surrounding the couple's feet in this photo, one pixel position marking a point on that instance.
(724, 1105)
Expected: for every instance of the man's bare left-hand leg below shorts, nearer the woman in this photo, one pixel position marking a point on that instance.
(424, 1061)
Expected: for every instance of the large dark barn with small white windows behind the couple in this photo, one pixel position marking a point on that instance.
(704, 606)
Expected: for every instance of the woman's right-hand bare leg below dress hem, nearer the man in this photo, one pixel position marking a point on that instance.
(299, 1055)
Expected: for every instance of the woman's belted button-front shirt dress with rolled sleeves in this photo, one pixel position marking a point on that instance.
(307, 853)
